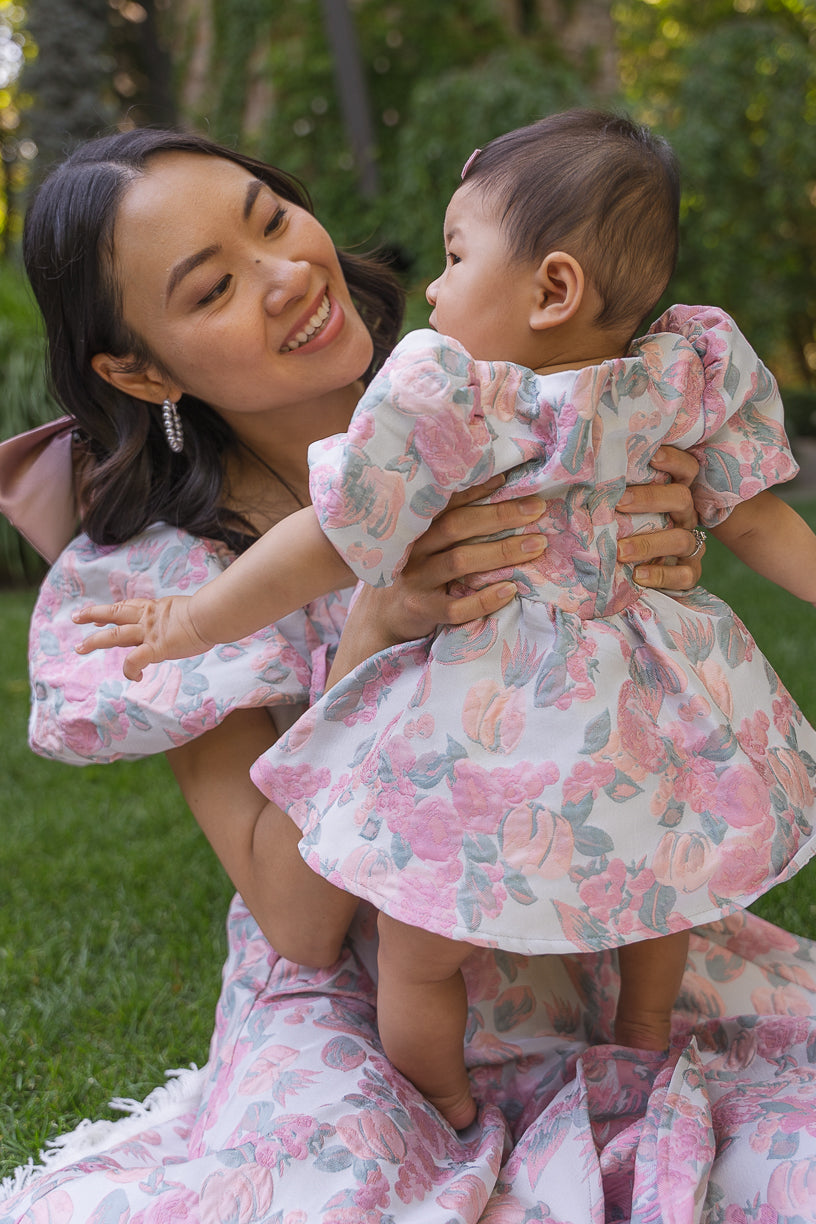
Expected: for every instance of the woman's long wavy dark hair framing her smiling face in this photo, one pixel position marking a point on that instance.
(130, 478)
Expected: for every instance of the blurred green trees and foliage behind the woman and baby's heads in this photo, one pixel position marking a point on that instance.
(731, 83)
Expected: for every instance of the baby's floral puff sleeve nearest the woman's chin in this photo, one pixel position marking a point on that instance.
(432, 422)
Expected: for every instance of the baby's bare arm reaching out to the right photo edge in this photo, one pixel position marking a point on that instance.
(774, 540)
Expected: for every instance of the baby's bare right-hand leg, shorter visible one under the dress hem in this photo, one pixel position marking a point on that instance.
(651, 974)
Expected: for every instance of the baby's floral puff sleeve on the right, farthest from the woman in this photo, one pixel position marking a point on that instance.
(744, 449)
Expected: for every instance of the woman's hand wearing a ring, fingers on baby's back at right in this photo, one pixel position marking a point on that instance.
(655, 554)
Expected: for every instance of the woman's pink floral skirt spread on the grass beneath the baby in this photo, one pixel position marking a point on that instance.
(299, 1119)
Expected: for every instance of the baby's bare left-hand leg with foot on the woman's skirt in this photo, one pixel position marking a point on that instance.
(423, 1012)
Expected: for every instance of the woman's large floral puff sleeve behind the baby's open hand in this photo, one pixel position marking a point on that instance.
(85, 711)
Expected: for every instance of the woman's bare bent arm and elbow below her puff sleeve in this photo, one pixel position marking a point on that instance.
(303, 916)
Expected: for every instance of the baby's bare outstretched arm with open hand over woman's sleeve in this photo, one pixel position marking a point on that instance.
(289, 566)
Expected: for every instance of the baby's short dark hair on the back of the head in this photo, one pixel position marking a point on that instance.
(598, 187)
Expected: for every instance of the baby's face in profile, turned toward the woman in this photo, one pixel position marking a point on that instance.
(484, 299)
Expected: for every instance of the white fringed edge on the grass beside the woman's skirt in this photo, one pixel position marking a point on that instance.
(180, 1095)
